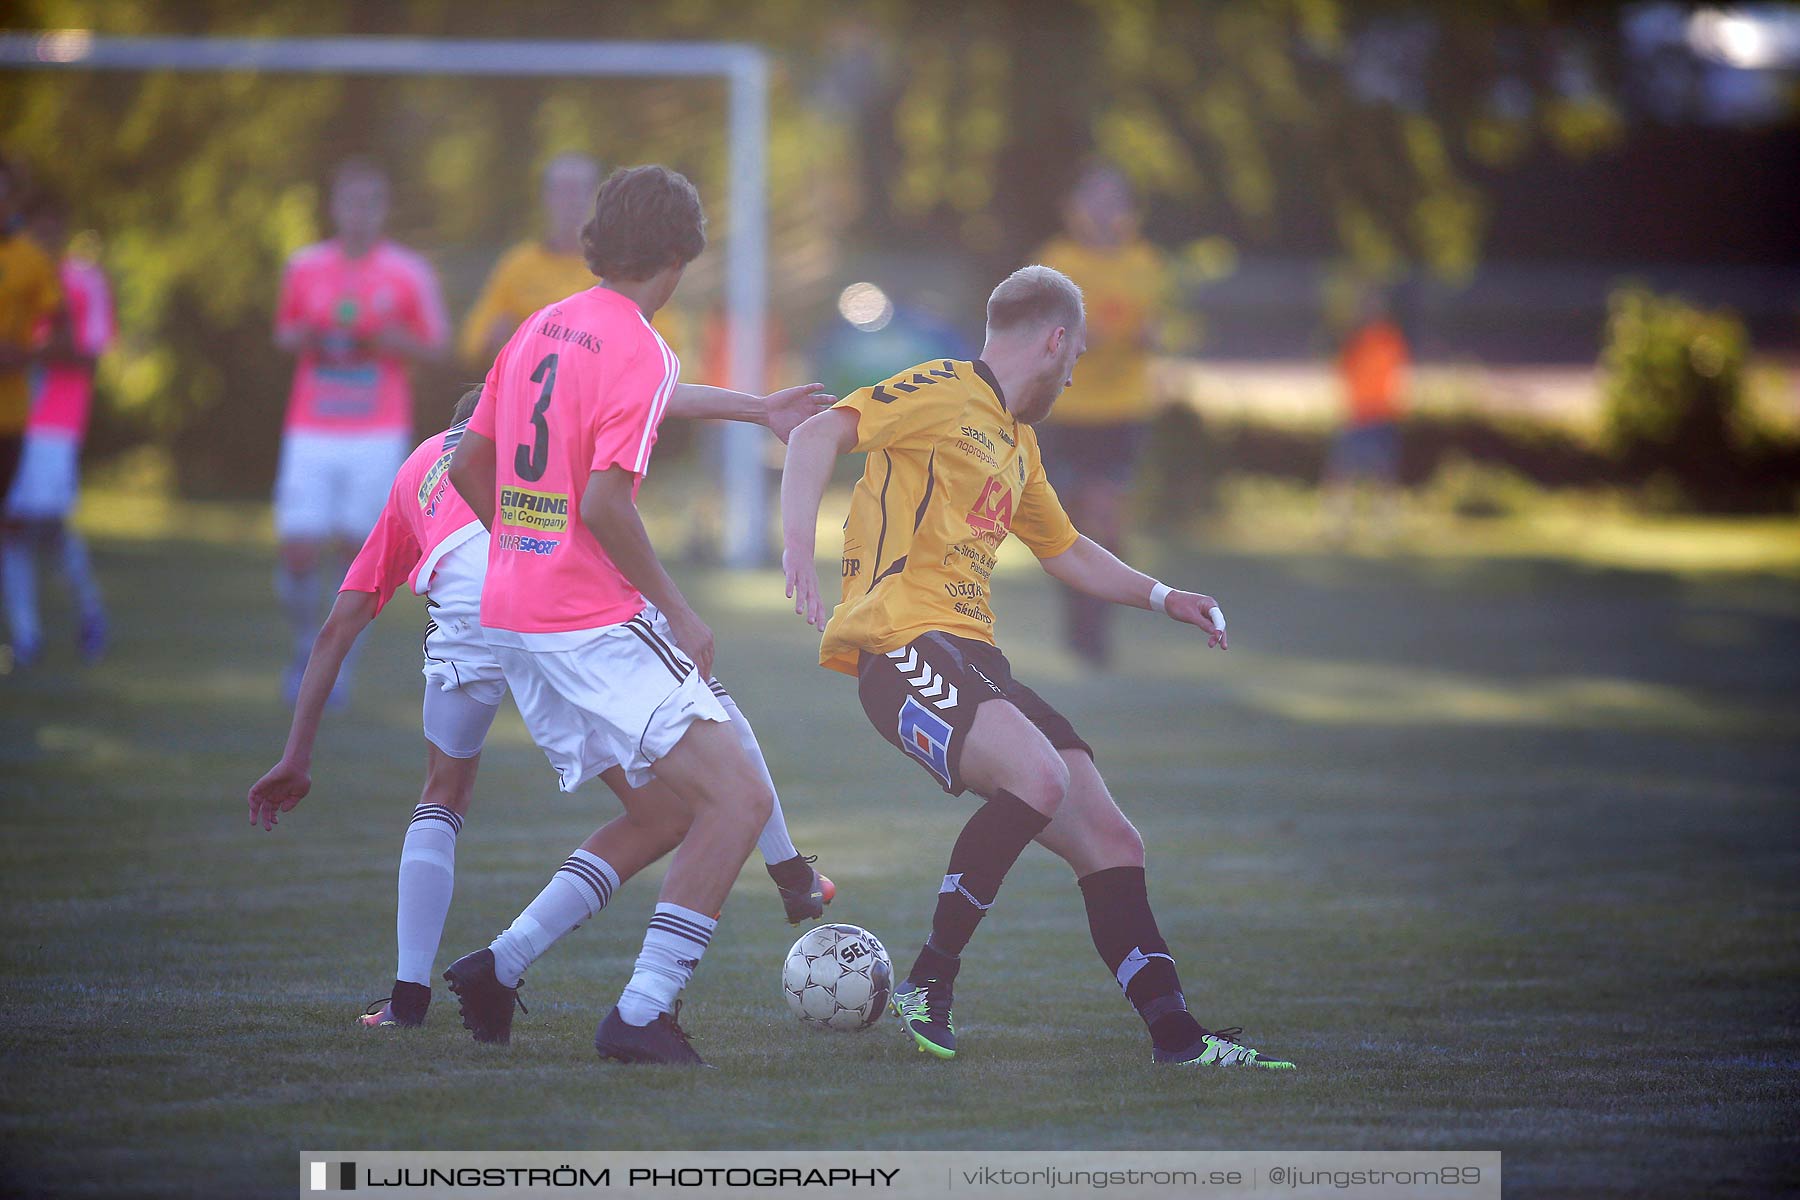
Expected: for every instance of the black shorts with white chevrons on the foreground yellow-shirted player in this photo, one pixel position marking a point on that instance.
(924, 699)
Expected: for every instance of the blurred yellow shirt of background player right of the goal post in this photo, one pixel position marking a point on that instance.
(1124, 289)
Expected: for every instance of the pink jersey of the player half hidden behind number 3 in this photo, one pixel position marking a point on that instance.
(424, 521)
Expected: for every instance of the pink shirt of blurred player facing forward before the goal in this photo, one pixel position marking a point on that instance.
(348, 388)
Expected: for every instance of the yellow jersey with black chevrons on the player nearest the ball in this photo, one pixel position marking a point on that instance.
(949, 474)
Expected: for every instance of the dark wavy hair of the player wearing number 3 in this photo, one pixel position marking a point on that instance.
(645, 220)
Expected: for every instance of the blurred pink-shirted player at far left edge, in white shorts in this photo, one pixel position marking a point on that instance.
(44, 492)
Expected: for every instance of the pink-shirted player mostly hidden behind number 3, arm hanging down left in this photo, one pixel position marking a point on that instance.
(429, 541)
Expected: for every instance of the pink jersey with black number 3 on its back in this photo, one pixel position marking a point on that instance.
(580, 388)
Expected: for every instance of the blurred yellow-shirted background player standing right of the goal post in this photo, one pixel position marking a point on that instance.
(1099, 429)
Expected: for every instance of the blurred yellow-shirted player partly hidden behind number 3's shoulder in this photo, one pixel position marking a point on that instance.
(539, 271)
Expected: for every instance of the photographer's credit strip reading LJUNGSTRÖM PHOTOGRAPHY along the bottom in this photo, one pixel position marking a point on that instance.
(908, 1174)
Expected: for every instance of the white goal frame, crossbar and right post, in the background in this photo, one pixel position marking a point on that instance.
(742, 67)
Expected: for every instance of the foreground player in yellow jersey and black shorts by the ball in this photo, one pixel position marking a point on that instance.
(953, 469)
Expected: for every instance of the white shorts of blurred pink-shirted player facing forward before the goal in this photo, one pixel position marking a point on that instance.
(336, 485)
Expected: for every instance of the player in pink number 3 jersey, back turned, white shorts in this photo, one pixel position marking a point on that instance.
(606, 659)
